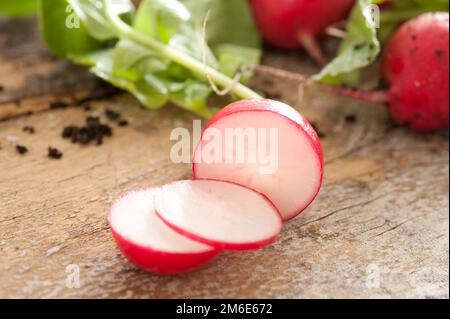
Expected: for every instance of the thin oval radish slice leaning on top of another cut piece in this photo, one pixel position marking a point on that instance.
(221, 214)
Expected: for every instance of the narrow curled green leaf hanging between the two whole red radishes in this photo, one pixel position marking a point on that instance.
(358, 50)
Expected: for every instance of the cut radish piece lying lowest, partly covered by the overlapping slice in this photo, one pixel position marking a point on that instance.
(147, 242)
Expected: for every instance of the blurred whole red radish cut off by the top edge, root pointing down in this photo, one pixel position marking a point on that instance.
(291, 24)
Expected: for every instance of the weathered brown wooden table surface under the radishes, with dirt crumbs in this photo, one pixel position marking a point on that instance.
(379, 227)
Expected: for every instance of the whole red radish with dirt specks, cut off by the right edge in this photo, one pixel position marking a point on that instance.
(415, 65)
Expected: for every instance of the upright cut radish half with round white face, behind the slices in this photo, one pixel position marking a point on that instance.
(297, 179)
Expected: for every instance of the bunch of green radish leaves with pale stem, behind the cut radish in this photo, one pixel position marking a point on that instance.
(157, 51)
